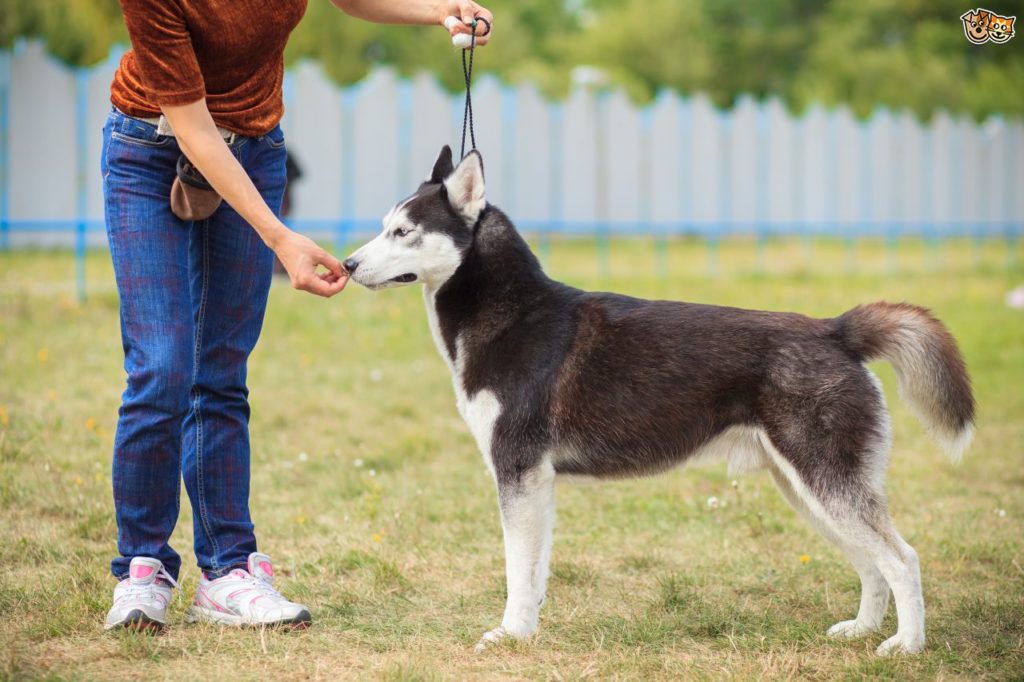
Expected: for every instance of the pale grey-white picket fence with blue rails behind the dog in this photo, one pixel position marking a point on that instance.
(595, 163)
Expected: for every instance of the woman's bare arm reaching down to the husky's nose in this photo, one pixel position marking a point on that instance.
(197, 136)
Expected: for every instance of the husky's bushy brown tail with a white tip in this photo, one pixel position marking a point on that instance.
(932, 377)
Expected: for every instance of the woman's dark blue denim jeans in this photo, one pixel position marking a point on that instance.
(193, 299)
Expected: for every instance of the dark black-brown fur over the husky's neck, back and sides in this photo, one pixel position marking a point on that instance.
(611, 386)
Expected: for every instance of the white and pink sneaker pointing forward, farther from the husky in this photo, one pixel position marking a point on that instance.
(141, 601)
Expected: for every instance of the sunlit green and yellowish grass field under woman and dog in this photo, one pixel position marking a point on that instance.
(370, 495)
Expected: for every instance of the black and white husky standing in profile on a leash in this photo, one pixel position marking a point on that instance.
(557, 381)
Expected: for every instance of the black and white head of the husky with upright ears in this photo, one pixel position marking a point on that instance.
(426, 236)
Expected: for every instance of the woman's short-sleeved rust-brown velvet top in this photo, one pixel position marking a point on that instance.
(230, 52)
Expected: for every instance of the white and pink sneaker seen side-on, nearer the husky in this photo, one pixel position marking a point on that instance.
(246, 599)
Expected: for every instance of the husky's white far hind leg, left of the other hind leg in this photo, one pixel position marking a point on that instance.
(874, 589)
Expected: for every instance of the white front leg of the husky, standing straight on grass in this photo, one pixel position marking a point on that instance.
(528, 507)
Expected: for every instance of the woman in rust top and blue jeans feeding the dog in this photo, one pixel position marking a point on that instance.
(204, 79)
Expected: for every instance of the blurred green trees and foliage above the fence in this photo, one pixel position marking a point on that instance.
(864, 54)
